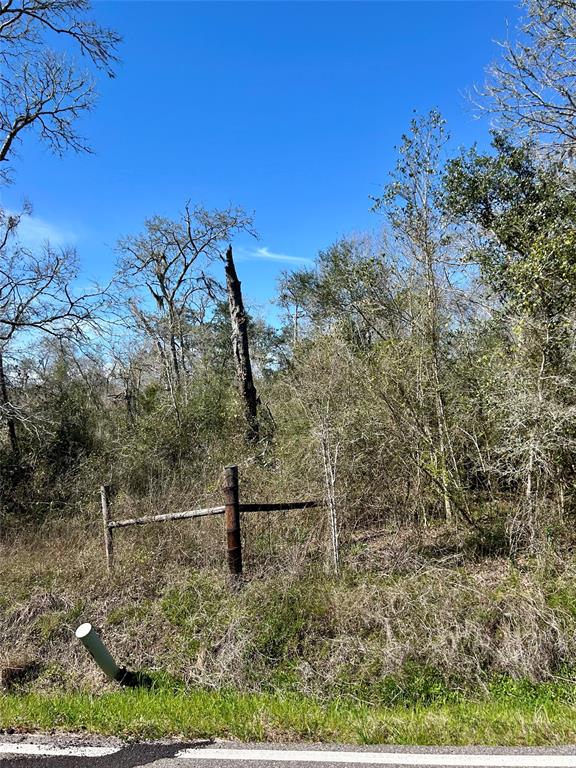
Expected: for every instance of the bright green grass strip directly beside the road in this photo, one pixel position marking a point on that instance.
(292, 717)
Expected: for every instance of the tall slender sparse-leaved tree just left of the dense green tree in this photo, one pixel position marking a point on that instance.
(422, 237)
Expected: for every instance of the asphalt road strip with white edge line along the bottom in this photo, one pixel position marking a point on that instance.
(74, 752)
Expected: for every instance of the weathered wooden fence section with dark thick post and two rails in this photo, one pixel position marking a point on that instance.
(231, 509)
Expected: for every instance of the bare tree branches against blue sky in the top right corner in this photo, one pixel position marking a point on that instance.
(533, 86)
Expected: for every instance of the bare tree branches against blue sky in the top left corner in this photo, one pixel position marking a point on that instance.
(40, 87)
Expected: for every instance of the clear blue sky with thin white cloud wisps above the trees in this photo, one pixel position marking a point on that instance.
(289, 109)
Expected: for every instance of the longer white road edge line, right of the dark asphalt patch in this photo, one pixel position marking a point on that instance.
(383, 758)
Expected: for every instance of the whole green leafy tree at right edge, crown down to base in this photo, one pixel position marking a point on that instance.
(519, 210)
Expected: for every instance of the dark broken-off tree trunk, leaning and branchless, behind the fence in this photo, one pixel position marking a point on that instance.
(241, 348)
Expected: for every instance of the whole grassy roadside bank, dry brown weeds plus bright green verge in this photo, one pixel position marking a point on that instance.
(403, 649)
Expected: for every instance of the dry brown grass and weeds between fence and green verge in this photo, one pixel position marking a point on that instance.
(406, 601)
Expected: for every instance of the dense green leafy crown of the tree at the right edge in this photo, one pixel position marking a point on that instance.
(523, 211)
